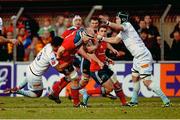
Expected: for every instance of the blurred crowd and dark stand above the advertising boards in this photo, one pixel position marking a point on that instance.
(35, 22)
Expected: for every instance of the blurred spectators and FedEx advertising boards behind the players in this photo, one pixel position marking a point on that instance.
(31, 24)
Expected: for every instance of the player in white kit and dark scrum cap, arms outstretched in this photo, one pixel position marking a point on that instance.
(142, 62)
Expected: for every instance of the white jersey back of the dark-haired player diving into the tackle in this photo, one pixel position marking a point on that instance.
(41, 62)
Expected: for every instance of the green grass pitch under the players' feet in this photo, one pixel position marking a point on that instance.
(100, 108)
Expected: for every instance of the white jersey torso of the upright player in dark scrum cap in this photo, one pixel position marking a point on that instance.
(132, 40)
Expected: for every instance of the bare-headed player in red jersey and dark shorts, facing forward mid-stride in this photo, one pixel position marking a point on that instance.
(101, 72)
